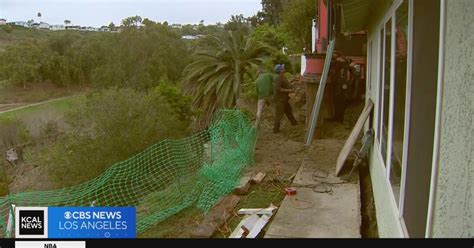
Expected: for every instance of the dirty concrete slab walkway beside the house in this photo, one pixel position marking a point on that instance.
(318, 215)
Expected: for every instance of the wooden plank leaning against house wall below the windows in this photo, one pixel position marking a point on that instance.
(346, 150)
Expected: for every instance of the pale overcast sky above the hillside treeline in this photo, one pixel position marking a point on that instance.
(102, 12)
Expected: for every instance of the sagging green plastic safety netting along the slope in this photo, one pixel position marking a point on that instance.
(163, 179)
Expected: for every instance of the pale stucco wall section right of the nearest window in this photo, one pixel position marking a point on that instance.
(454, 205)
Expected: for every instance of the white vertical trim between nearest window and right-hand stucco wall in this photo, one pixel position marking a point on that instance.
(439, 102)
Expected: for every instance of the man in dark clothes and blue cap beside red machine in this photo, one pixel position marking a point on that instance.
(281, 91)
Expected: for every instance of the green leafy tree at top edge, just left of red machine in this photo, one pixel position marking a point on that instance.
(297, 21)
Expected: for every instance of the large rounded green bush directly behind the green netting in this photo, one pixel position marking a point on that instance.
(109, 126)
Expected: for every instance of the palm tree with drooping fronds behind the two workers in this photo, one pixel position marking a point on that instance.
(215, 77)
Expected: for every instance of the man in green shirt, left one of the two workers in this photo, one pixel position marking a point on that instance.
(264, 85)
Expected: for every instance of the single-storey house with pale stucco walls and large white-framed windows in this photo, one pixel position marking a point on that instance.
(422, 85)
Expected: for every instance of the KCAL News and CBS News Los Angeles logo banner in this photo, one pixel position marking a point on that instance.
(75, 222)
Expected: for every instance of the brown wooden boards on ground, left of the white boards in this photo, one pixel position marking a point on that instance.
(221, 212)
